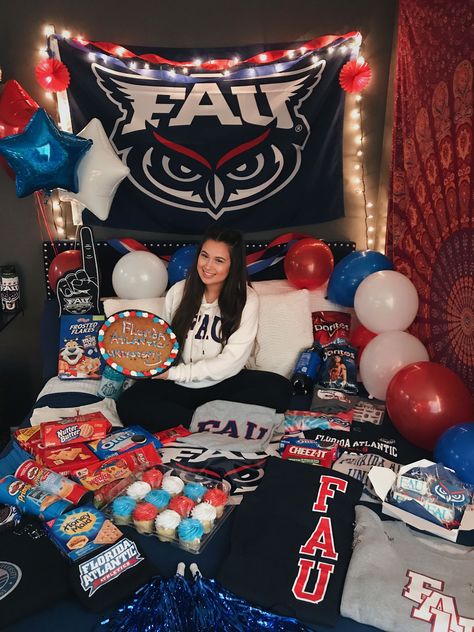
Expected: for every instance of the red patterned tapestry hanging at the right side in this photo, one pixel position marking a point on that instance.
(430, 231)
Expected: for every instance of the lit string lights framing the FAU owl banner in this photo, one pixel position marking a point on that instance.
(107, 52)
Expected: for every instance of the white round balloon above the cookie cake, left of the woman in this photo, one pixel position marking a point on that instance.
(139, 274)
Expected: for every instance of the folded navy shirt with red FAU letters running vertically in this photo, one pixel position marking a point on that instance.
(291, 541)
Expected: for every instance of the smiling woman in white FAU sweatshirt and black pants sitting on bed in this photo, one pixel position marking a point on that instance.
(214, 314)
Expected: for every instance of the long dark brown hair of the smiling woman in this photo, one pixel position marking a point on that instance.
(233, 294)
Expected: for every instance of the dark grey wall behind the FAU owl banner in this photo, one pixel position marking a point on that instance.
(166, 23)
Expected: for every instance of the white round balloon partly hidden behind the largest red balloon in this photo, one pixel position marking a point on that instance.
(384, 356)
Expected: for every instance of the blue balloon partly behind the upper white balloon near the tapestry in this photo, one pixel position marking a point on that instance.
(349, 273)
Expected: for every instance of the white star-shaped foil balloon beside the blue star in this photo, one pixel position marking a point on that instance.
(99, 173)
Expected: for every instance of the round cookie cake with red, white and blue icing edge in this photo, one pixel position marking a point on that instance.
(137, 344)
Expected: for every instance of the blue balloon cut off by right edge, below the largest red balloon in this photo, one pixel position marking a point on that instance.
(455, 449)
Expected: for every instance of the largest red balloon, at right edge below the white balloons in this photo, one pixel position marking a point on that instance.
(426, 398)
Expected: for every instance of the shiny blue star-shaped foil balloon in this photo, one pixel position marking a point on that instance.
(43, 157)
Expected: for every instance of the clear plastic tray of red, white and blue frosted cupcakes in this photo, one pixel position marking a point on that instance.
(179, 507)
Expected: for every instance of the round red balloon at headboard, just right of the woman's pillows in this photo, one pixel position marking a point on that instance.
(309, 263)
